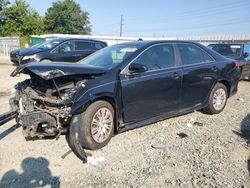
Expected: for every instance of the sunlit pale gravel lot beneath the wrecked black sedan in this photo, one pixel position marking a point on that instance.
(214, 153)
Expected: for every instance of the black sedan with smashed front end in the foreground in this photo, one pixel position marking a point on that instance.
(119, 88)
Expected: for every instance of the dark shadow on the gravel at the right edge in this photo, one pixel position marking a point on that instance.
(245, 133)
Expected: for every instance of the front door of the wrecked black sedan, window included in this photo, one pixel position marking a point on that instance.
(156, 91)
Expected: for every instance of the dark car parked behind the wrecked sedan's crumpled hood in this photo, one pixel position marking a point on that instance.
(63, 50)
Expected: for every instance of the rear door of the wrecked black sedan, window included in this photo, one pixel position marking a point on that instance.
(199, 75)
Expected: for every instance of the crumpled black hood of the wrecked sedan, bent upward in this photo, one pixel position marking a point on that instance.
(48, 71)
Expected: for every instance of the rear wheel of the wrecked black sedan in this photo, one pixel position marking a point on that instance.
(217, 99)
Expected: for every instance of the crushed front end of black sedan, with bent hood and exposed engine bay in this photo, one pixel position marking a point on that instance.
(44, 102)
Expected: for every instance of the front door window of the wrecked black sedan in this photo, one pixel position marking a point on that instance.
(157, 57)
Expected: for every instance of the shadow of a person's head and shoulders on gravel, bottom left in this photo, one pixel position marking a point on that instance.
(35, 174)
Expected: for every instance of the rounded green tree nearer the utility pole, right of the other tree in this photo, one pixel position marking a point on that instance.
(67, 17)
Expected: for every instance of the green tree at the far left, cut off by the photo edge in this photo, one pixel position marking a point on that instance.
(21, 20)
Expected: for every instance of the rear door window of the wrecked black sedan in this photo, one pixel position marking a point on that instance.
(191, 54)
